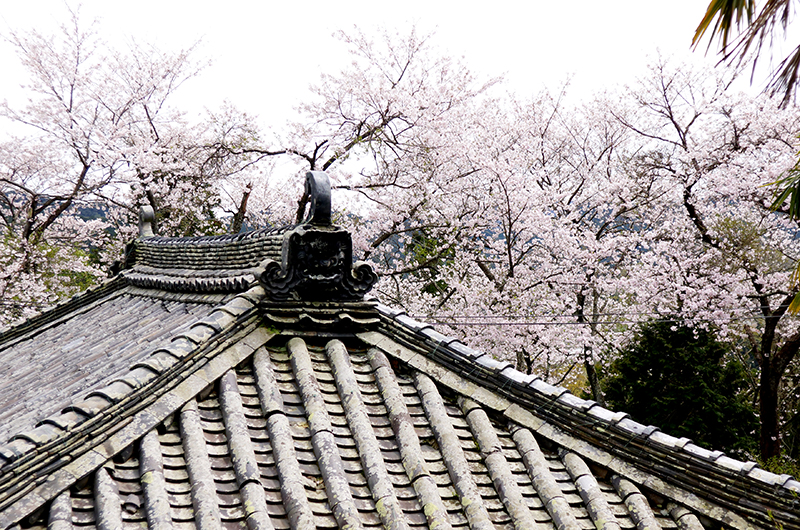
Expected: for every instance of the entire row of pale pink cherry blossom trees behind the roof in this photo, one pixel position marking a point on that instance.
(537, 230)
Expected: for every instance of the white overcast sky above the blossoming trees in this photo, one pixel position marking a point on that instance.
(266, 53)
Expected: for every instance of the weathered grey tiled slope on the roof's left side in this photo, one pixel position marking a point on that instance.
(44, 373)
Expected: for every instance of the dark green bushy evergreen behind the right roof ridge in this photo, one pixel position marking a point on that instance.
(681, 381)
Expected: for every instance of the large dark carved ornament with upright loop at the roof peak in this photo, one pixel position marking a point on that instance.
(317, 257)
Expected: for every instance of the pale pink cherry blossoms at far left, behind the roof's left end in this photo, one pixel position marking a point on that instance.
(102, 140)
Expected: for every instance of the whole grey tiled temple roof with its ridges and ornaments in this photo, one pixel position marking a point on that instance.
(246, 382)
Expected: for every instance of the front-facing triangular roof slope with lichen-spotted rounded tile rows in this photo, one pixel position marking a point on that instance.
(304, 432)
